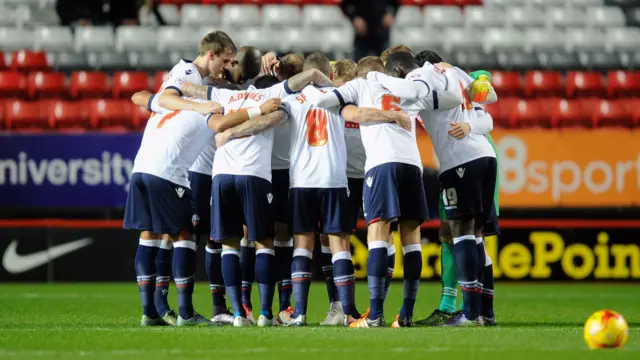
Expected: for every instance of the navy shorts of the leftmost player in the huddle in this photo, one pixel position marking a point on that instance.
(158, 205)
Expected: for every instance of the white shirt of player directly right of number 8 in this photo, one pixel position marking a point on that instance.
(383, 142)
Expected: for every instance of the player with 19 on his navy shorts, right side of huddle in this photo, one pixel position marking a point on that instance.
(467, 173)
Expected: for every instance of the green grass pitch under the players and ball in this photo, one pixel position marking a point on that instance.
(99, 321)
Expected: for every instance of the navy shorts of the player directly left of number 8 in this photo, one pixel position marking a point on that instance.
(238, 200)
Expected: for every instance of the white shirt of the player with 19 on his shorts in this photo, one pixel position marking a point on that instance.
(450, 151)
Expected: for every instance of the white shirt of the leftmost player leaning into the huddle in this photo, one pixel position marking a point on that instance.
(170, 145)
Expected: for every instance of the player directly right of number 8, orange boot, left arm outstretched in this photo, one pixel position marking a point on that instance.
(393, 191)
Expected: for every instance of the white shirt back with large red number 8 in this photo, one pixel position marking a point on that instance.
(318, 151)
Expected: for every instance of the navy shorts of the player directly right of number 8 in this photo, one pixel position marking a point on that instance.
(394, 191)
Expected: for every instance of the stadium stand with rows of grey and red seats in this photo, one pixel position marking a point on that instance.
(554, 62)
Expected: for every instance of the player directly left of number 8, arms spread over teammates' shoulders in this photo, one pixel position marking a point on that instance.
(241, 192)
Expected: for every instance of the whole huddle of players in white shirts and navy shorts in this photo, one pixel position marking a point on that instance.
(256, 156)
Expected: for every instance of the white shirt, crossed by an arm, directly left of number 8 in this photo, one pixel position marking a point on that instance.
(250, 155)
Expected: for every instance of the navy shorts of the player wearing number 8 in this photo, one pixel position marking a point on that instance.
(320, 210)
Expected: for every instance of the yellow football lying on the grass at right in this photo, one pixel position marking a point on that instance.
(606, 329)
